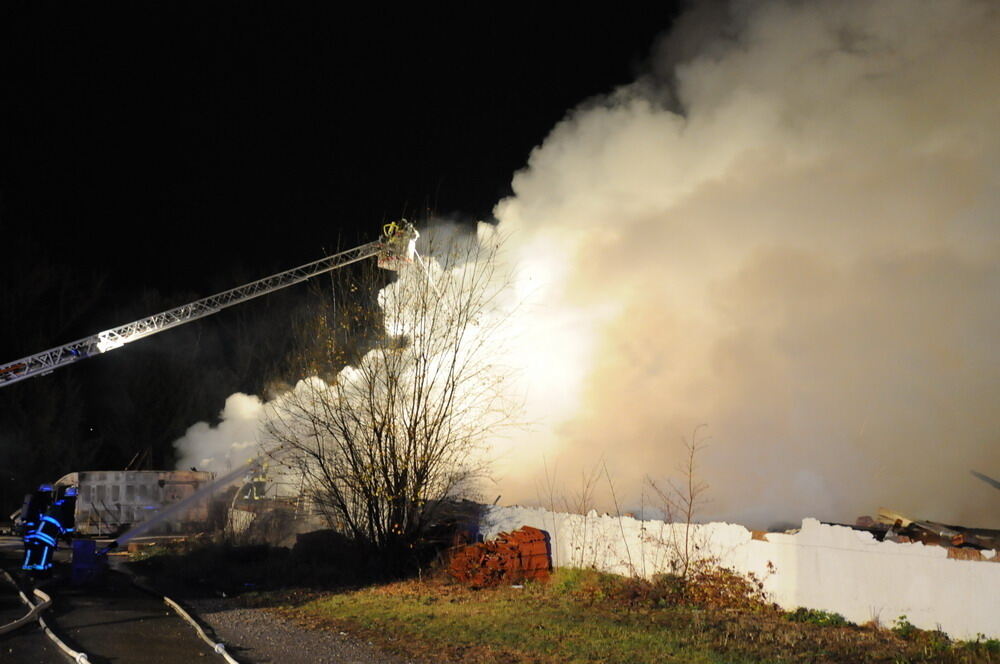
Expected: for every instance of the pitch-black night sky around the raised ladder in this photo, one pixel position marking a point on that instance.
(182, 148)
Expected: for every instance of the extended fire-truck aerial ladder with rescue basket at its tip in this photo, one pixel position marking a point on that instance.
(395, 249)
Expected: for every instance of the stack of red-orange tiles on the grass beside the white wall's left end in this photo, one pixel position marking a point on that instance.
(521, 555)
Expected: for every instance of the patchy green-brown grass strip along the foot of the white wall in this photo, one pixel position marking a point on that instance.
(586, 616)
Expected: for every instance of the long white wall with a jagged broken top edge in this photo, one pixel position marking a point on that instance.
(832, 568)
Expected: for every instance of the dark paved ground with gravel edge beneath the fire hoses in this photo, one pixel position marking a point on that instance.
(116, 622)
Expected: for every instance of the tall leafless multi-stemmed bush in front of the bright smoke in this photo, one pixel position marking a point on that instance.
(401, 427)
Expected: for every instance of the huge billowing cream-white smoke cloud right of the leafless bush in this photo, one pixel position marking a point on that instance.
(788, 231)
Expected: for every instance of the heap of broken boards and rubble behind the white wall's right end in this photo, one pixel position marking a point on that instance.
(962, 543)
